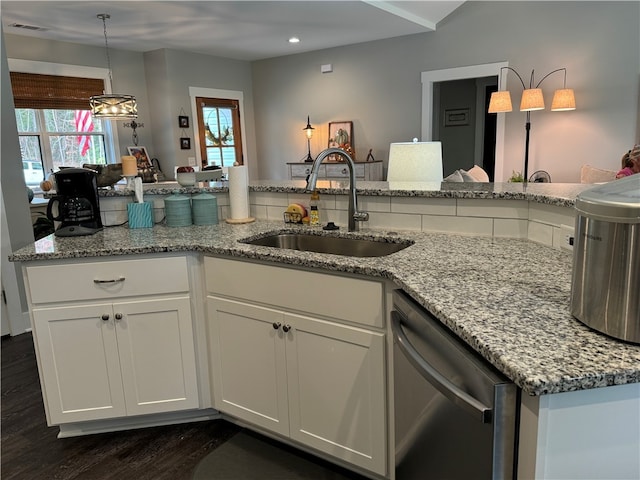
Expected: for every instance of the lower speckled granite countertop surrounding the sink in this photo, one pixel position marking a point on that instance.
(508, 299)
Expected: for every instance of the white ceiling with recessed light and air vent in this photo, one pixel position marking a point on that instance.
(242, 30)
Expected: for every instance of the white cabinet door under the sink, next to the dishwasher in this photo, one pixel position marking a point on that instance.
(337, 390)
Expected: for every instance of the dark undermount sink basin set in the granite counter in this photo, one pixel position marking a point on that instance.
(336, 245)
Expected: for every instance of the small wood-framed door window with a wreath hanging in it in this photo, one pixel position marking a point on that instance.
(219, 131)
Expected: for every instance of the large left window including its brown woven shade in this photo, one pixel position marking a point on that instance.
(55, 127)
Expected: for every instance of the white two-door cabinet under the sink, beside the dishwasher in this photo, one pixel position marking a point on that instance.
(316, 380)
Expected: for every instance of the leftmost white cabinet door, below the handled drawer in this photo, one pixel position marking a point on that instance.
(78, 360)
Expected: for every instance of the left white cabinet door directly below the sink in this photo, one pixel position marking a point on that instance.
(248, 364)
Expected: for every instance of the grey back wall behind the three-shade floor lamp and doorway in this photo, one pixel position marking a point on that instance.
(377, 84)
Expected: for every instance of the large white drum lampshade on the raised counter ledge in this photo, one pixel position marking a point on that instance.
(415, 162)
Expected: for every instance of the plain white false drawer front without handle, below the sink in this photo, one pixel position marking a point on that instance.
(335, 296)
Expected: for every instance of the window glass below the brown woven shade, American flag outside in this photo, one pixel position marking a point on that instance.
(50, 139)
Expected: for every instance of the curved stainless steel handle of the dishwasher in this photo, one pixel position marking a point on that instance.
(435, 378)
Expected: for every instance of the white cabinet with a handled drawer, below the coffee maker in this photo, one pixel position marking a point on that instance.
(125, 356)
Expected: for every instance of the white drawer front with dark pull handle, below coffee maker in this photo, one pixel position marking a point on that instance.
(105, 280)
